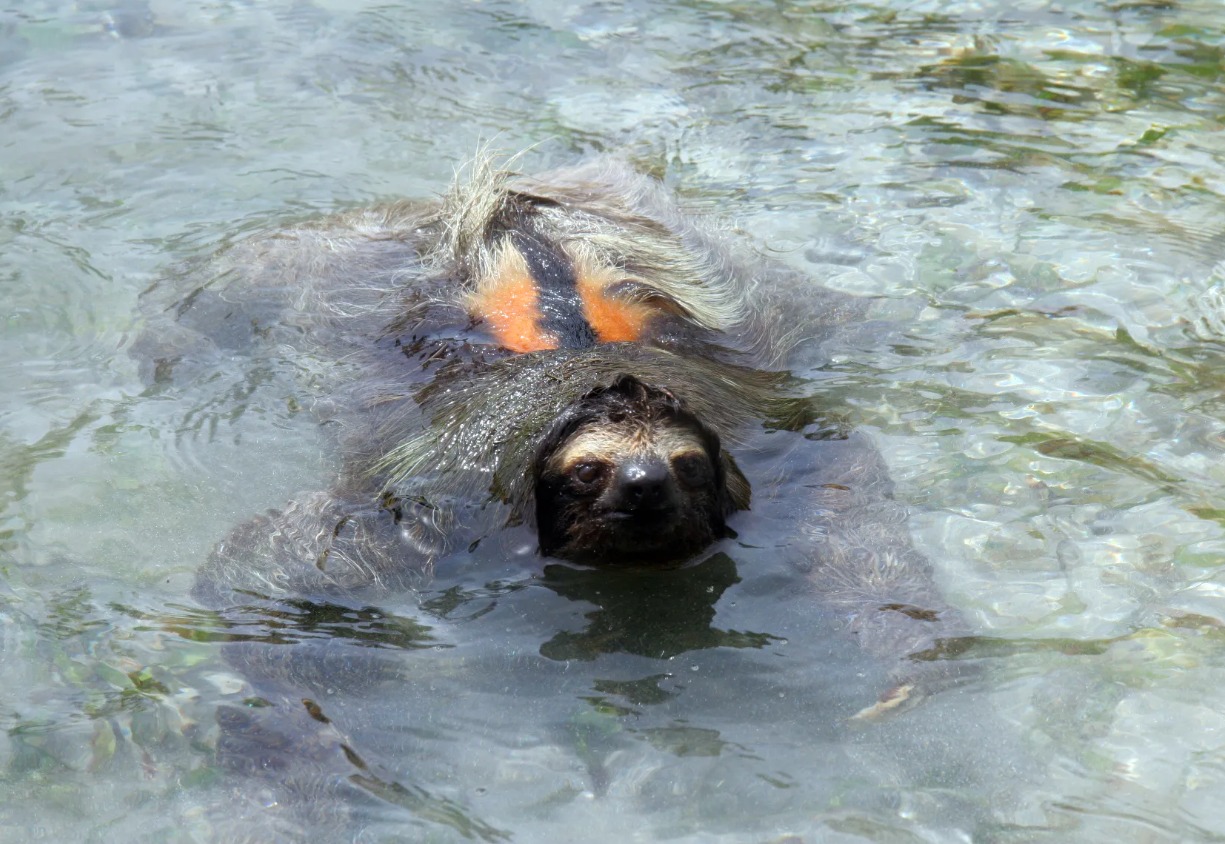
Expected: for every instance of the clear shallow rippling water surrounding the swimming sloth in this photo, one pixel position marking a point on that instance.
(1046, 179)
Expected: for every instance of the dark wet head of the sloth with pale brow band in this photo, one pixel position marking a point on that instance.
(630, 477)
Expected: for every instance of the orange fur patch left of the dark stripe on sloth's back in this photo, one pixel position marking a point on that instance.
(509, 303)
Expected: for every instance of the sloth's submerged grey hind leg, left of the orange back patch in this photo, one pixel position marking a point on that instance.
(320, 290)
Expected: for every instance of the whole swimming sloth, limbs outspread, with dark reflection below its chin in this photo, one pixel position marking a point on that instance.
(565, 364)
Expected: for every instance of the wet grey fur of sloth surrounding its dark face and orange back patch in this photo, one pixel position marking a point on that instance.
(439, 431)
